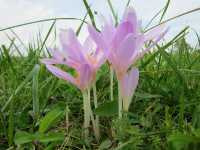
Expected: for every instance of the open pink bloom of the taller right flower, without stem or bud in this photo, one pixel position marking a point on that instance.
(124, 45)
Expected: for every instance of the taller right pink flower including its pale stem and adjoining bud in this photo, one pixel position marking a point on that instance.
(124, 45)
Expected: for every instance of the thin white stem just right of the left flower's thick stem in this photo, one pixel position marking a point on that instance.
(97, 117)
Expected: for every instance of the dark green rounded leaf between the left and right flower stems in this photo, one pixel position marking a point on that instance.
(107, 109)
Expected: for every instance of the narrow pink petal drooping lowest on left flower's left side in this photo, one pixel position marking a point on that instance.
(61, 74)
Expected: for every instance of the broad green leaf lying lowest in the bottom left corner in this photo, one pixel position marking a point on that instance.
(22, 137)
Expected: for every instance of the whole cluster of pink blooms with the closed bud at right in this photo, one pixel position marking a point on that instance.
(120, 45)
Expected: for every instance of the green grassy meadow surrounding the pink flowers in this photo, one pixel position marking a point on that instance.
(42, 112)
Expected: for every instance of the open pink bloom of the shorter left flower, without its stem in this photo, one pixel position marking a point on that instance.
(84, 59)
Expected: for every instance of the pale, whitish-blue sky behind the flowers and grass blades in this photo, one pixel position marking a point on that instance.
(15, 12)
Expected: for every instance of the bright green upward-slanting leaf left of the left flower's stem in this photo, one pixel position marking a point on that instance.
(50, 119)
